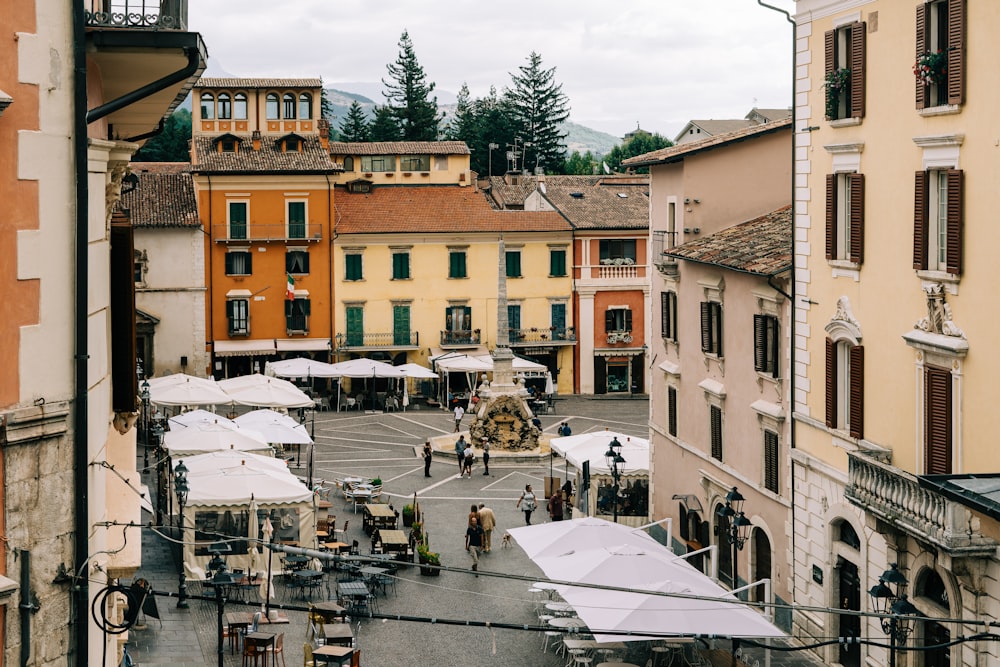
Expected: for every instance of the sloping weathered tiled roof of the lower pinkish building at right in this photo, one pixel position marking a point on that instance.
(762, 245)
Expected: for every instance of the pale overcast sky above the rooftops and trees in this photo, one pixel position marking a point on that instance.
(655, 63)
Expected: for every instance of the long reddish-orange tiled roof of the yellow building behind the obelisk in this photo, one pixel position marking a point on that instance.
(434, 209)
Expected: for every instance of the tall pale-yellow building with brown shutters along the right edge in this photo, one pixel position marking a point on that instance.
(895, 383)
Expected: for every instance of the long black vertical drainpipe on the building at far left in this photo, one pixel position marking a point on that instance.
(80, 422)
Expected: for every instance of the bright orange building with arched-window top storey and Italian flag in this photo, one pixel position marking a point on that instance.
(263, 180)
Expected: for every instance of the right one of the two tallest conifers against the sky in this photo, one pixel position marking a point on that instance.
(539, 106)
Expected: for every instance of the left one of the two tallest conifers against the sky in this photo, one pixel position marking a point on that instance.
(409, 95)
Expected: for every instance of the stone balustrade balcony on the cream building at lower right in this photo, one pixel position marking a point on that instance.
(897, 498)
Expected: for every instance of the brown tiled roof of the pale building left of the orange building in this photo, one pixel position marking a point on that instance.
(165, 195)
